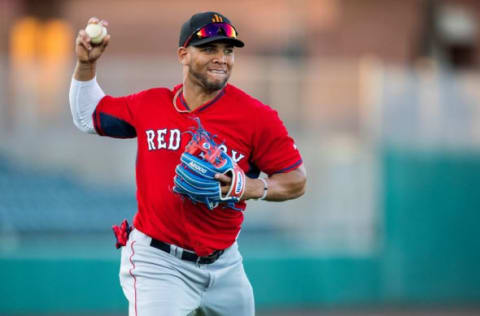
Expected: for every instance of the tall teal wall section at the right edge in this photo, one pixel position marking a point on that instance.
(432, 217)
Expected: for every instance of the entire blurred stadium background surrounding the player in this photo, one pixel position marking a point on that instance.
(382, 97)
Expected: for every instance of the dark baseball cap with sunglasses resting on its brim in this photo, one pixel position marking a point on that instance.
(207, 27)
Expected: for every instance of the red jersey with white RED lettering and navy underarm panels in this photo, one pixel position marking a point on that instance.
(252, 134)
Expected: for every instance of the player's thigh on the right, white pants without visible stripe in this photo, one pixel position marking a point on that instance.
(232, 295)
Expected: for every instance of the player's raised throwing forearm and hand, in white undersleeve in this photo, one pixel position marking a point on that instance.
(85, 93)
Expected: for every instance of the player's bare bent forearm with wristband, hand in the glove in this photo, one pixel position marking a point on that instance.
(280, 186)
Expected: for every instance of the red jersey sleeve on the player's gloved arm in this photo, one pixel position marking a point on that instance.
(274, 150)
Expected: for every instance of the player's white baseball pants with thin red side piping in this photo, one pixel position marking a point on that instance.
(157, 283)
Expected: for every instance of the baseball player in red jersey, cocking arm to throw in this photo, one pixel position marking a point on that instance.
(201, 148)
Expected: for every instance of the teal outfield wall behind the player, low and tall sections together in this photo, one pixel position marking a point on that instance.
(429, 253)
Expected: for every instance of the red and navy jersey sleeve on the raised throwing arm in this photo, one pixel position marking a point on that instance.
(115, 116)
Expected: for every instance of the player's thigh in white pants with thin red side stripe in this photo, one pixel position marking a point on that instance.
(152, 285)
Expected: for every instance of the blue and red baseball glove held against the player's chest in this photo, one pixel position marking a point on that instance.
(195, 175)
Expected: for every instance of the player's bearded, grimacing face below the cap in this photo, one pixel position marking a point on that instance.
(210, 65)
